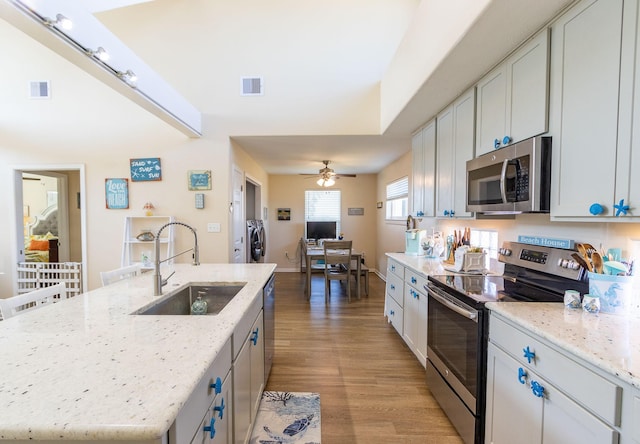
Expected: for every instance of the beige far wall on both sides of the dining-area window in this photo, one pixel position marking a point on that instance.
(287, 191)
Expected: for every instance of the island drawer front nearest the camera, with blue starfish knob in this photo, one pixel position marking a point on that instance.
(202, 397)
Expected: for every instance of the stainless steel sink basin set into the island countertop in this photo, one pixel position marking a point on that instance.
(216, 294)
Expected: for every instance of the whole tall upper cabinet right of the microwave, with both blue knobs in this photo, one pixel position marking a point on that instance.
(594, 95)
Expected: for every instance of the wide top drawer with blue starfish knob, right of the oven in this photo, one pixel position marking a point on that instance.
(591, 390)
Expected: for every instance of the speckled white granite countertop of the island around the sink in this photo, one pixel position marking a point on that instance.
(85, 369)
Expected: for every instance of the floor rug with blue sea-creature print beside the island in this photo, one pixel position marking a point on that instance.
(287, 418)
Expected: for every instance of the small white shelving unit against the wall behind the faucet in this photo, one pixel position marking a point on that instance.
(135, 251)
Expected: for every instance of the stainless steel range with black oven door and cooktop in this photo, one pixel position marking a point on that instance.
(457, 330)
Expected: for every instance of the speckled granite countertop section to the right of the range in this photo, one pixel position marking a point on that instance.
(605, 340)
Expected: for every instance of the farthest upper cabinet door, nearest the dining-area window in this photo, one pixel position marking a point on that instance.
(424, 167)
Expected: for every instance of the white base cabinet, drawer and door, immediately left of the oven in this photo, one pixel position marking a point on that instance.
(415, 314)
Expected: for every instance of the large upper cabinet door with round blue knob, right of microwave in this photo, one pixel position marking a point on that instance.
(585, 81)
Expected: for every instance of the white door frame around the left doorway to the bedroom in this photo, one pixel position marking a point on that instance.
(18, 229)
